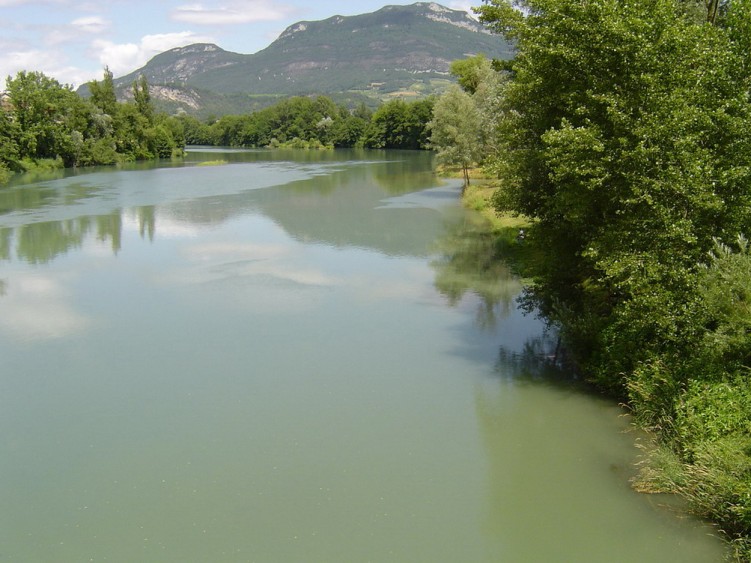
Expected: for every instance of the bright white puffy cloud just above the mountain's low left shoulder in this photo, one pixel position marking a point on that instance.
(123, 58)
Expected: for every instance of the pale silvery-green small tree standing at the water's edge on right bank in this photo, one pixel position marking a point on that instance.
(455, 130)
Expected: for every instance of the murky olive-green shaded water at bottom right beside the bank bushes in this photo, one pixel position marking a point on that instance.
(543, 509)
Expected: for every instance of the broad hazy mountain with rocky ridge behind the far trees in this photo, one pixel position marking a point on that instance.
(397, 50)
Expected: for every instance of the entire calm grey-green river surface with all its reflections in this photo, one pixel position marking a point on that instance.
(293, 356)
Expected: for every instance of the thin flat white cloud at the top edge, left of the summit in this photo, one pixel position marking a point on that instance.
(231, 12)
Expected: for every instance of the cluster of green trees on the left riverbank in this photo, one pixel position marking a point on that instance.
(45, 122)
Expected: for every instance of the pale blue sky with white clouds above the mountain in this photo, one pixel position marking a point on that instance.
(73, 40)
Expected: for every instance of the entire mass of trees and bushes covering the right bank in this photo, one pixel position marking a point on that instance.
(624, 133)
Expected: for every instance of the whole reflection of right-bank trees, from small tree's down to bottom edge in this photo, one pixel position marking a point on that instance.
(541, 509)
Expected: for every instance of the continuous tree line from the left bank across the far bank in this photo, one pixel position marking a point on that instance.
(44, 123)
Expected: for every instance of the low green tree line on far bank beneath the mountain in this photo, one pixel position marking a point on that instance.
(317, 122)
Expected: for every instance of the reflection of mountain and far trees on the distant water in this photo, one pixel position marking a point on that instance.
(327, 197)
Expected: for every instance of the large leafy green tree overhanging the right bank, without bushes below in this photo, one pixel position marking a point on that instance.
(626, 138)
